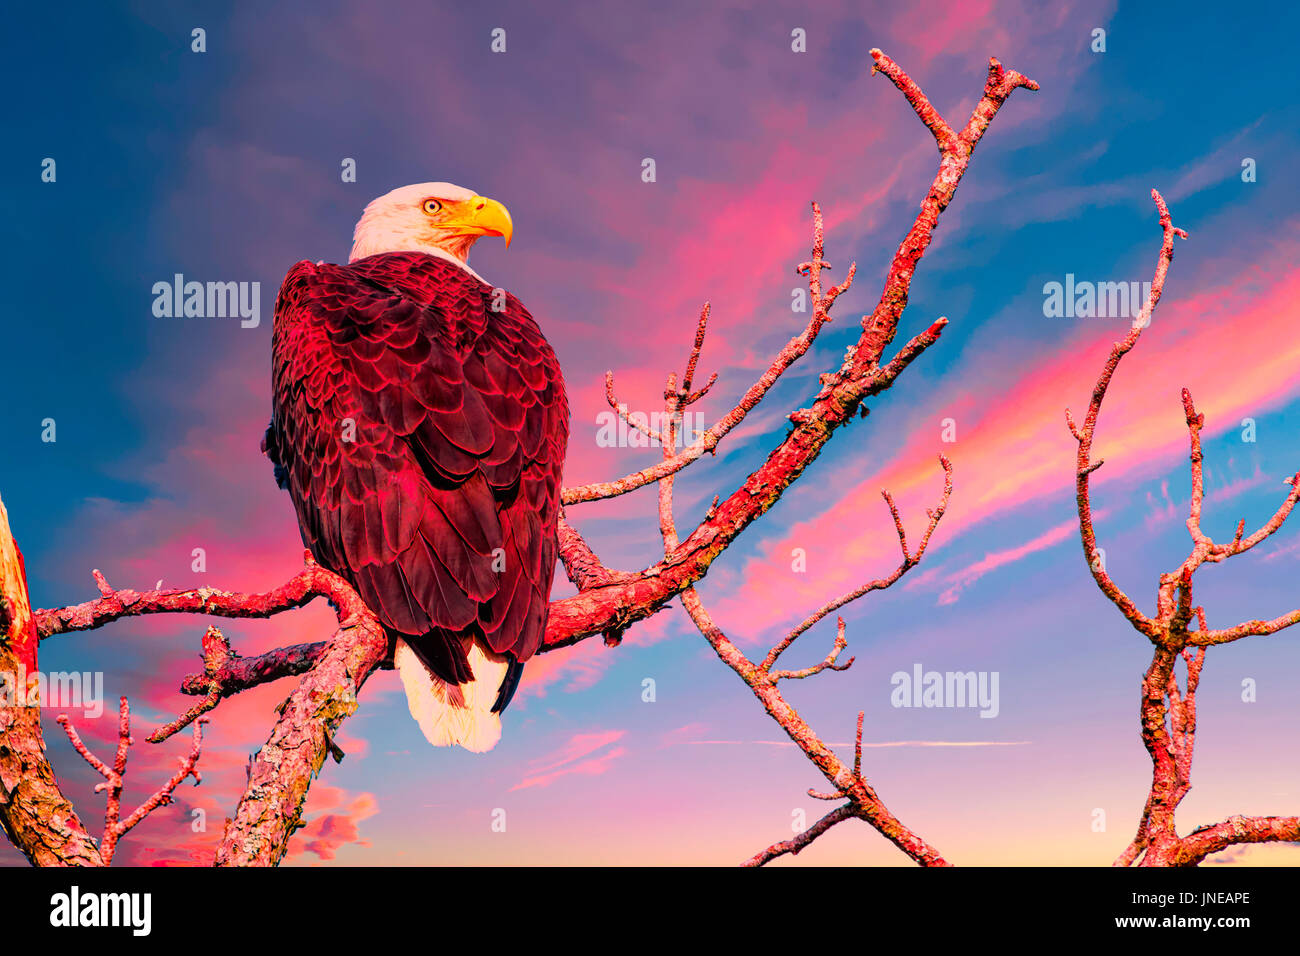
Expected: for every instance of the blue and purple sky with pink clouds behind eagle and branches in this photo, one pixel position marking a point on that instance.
(227, 166)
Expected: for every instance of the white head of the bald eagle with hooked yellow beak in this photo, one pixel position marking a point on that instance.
(436, 218)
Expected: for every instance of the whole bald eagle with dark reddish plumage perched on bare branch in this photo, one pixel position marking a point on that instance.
(421, 423)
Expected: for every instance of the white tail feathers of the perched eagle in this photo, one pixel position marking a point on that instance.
(454, 715)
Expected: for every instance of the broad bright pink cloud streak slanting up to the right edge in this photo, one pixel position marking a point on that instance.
(1013, 447)
